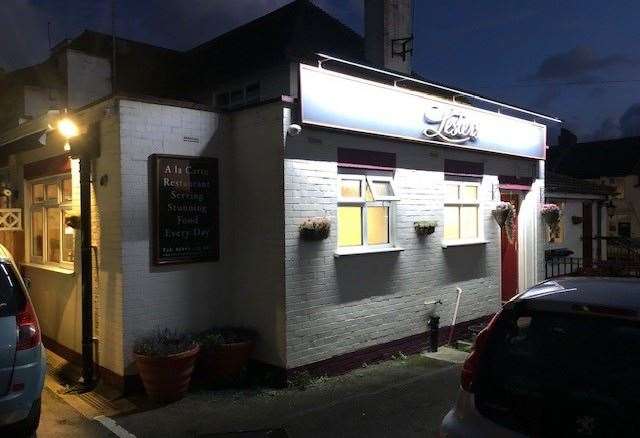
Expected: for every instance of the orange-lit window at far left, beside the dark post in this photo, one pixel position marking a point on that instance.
(52, 241)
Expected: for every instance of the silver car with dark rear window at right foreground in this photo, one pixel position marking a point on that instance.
(562, 359)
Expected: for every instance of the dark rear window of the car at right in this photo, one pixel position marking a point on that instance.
(539, 363)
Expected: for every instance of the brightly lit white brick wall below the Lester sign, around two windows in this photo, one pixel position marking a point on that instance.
(336, 305)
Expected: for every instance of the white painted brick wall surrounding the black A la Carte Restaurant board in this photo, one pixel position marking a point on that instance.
(186, 297)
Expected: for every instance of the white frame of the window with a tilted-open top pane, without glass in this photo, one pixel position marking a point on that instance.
(379, 201)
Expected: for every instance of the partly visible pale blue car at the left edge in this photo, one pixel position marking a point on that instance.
(22, 356)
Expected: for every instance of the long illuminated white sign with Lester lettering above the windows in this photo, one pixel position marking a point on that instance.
(335, 100)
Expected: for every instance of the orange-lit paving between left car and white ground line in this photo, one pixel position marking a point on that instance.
(60, 420)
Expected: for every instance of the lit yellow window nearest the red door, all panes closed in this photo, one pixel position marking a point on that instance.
(462, 211)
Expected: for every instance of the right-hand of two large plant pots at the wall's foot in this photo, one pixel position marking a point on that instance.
(225, 362)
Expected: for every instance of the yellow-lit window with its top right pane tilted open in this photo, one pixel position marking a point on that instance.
(365, 210)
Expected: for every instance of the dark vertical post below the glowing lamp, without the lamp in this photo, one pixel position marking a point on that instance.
(87, 271)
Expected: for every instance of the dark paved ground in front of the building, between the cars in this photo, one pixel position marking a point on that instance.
(400, 398)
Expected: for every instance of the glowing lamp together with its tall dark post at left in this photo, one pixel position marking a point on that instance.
(69, 130)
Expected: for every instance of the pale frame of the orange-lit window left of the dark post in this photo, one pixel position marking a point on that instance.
(59, 203)
